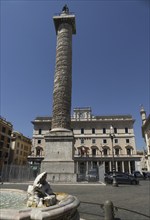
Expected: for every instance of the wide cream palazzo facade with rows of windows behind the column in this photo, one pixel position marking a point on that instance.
(92, 142)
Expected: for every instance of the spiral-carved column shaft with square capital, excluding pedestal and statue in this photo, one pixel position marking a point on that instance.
(63, 72)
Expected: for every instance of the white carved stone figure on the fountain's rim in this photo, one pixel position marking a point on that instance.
(40, 193)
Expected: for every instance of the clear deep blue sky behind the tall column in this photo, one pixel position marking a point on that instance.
(111, 59)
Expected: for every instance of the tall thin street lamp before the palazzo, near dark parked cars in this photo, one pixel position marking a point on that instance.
(114, 183)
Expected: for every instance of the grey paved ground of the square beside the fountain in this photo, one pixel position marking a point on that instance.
(132, 201)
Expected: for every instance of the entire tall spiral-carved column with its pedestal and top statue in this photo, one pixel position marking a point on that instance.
(58, 161)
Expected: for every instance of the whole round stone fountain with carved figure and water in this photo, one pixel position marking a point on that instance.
(38, 203)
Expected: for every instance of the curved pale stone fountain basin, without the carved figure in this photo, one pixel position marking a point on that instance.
(66, 208)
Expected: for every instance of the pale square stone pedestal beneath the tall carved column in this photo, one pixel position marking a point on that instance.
(58, 162)
